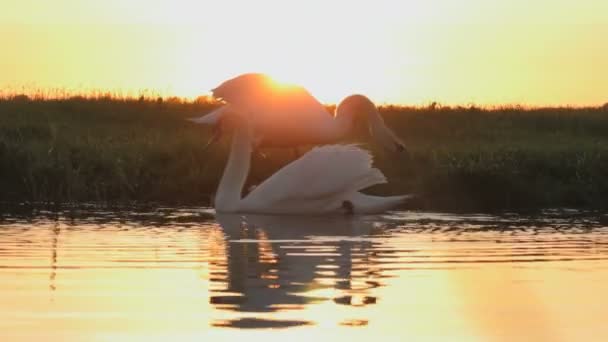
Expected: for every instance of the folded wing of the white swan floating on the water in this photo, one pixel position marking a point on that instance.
(323, 175)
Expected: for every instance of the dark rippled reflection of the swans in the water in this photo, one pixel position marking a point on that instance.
(276, 263)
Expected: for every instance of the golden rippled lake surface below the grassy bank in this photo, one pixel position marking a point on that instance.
(187, 274)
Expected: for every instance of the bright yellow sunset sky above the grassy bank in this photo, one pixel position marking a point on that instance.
(531, 52)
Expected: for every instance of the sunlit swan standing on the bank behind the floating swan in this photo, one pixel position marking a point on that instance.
(287, 115)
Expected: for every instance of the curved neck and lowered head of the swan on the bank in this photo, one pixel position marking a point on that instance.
(357, 108)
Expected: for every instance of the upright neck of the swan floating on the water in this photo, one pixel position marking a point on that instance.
(235, 174)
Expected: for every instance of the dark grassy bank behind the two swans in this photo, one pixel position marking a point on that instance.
(113, 150)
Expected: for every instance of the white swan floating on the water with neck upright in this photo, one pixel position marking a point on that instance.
(325, 180)
